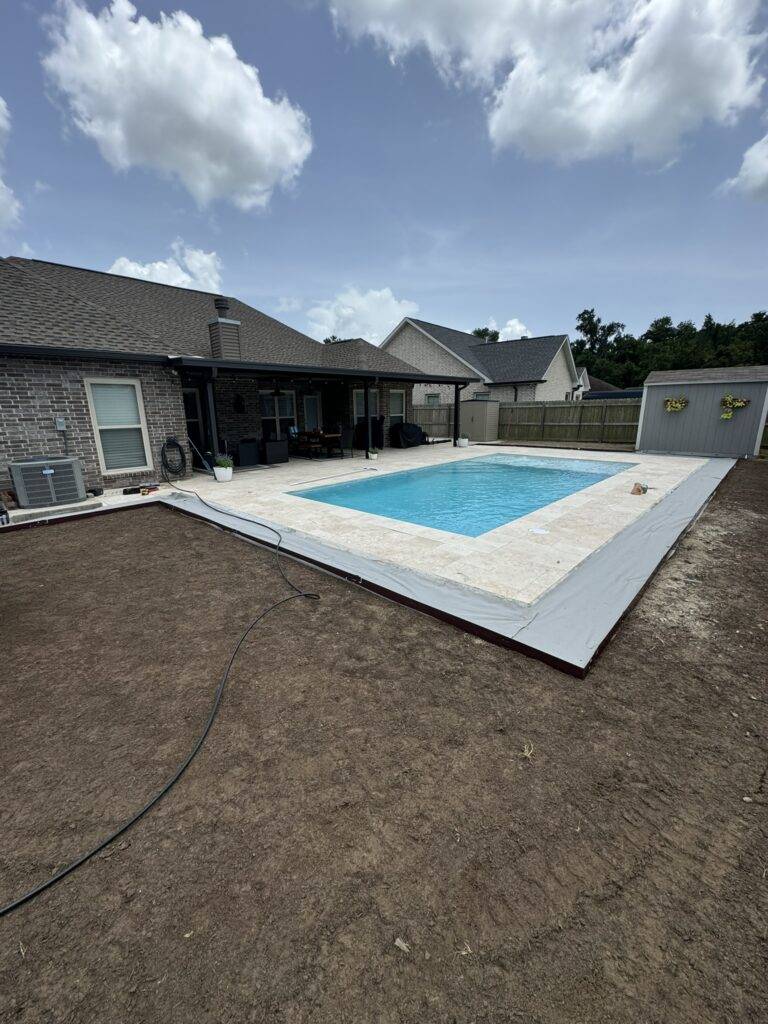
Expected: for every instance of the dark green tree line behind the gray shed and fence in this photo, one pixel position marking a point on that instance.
(609, 352)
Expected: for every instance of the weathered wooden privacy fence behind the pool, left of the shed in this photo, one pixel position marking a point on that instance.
(600, 422)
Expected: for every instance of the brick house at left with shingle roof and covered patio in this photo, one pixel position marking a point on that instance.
(107, 368)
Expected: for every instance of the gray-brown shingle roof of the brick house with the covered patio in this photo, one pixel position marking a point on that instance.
(50, 305)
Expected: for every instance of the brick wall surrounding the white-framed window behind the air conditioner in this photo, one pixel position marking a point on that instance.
(34, 392)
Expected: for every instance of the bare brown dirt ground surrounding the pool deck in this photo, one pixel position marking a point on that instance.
(366, 783)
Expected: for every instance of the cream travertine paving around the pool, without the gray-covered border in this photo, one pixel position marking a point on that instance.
(519, 562)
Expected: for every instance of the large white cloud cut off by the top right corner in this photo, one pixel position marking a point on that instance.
(575, 80)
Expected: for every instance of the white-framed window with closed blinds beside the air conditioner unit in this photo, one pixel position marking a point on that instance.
(118, 416)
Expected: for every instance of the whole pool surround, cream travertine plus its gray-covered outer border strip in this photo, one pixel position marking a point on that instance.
(554, 583)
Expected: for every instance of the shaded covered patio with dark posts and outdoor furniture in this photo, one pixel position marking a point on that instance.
(267, 413)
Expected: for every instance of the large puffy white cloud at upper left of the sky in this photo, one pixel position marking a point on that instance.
(161, 95)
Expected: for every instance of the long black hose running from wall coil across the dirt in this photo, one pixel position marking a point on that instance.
(21, 901)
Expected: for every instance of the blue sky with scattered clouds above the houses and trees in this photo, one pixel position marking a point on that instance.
(405, 190)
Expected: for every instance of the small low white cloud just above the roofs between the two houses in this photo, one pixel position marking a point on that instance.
(354, 314)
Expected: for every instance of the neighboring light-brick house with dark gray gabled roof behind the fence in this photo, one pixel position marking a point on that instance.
(526, 370)
